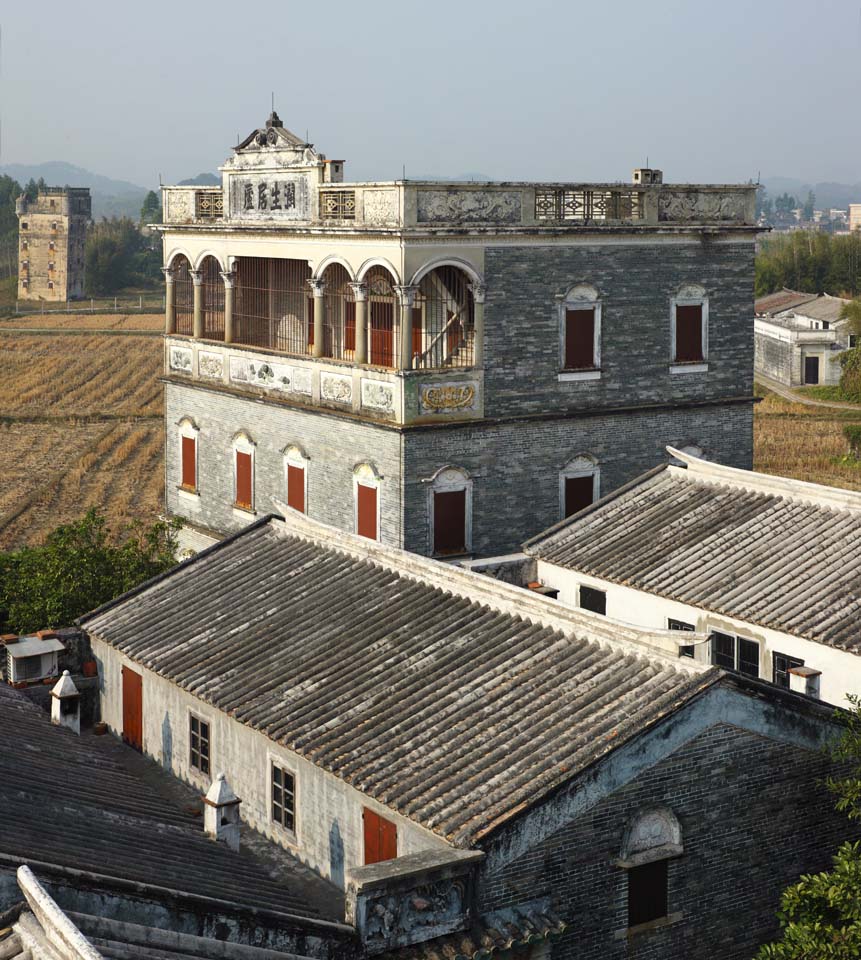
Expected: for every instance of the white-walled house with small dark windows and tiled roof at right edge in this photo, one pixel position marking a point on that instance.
(763, 572)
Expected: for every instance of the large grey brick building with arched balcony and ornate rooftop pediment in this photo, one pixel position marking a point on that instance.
(448, 367)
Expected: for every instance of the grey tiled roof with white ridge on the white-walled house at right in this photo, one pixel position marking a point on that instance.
(779, 553)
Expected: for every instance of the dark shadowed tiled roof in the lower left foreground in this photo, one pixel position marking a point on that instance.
(66, 802)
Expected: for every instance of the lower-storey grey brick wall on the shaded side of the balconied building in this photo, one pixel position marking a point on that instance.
(515, 466)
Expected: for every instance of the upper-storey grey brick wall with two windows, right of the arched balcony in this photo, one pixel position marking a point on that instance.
(635, 283)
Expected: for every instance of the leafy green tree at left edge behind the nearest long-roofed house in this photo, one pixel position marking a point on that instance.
(79, 567)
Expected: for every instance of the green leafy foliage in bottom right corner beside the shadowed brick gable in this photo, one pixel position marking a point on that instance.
(820, 916)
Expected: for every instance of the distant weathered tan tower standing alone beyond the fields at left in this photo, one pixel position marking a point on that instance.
(52, 230)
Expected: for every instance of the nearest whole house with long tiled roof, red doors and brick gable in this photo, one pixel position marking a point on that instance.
(479, 767)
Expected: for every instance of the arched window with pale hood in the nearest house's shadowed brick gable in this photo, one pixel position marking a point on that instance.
(651, 840)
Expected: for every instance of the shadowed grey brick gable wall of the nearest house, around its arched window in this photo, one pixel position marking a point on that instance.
(753, 818)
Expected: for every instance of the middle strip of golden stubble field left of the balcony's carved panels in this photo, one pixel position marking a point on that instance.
(80, 376)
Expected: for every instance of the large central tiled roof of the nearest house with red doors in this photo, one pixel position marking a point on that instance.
(451, 712)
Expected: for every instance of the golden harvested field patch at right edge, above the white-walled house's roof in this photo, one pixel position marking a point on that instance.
(795, 440)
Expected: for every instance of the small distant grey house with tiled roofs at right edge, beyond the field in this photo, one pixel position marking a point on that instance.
(799, 338)
